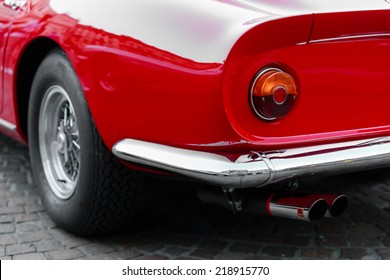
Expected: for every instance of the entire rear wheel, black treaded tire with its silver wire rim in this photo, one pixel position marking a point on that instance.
(103, 193)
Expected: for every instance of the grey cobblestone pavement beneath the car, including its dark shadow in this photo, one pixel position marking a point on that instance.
(178, 226)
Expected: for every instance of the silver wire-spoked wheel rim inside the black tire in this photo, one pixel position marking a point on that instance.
(59, 142)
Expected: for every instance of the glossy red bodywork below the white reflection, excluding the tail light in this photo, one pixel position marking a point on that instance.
(135, 90)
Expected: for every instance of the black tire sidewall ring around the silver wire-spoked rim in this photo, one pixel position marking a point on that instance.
(57, 70)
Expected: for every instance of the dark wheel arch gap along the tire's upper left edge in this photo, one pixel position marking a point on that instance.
(29, 61)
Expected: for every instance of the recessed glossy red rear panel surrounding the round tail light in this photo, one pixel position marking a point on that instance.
(338, 93)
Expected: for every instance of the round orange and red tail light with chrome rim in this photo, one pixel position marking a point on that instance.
(273, 94)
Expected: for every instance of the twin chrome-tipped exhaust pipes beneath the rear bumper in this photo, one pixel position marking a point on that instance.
(298, 206)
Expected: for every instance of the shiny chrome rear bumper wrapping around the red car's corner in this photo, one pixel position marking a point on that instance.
(257, 169)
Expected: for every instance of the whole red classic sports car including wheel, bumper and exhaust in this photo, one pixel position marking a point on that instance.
(235, 93)
